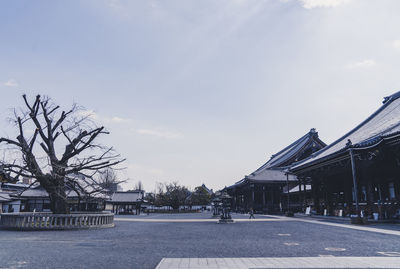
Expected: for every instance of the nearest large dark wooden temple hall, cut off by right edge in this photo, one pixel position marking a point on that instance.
(361, 170)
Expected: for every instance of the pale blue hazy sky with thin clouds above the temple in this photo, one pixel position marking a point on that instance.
(202, 91)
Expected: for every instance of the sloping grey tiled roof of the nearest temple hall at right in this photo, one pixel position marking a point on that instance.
(385, 122)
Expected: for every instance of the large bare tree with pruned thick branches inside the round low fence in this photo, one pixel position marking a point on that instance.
(70, 132)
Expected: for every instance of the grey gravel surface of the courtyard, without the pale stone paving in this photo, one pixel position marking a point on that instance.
(143, 244)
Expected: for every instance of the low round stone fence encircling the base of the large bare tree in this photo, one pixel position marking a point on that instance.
(49, 221)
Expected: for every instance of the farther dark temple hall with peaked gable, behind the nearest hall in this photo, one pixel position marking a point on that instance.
(262, 189)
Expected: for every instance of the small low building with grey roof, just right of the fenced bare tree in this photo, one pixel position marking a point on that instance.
(125, 202)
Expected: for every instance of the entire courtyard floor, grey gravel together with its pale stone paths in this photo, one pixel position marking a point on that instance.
(196, 241)
